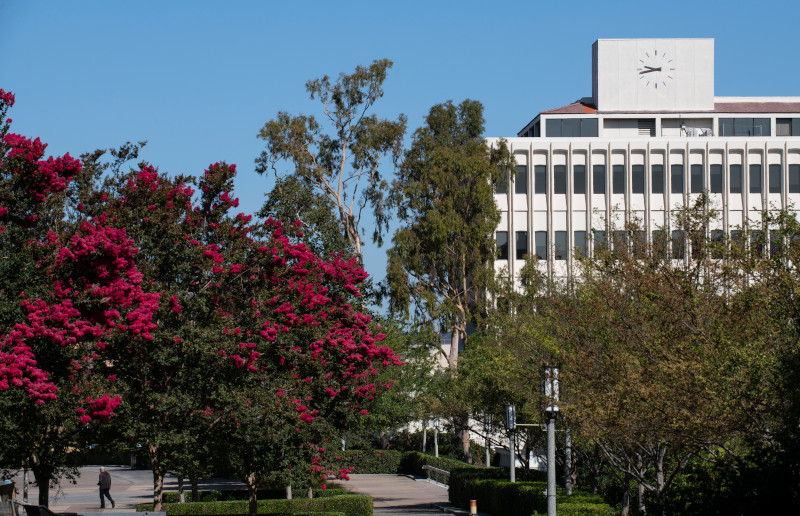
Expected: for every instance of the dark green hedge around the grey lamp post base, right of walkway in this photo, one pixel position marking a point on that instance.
(496, 495)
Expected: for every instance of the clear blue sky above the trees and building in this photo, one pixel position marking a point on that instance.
(198, 79)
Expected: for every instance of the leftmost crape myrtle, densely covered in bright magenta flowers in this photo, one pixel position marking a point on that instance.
(77, 287)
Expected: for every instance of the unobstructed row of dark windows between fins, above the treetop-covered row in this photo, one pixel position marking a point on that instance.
(657, 179)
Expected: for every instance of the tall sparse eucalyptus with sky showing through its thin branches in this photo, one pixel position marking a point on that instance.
(345, 164)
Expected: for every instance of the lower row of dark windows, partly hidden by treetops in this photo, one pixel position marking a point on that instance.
(675, 246)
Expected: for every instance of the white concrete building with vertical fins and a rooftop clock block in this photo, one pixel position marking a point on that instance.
(650, 139)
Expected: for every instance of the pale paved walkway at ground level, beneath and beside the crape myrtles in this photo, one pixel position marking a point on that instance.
(394, 495)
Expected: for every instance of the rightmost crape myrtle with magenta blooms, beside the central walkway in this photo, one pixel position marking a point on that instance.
(303, 360)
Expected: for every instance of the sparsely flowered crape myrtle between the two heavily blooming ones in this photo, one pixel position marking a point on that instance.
(168, 382)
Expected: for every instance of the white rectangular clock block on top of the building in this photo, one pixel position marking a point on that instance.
(653, 74)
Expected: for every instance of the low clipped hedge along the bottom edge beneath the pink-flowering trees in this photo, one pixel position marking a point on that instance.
(350, 505)
